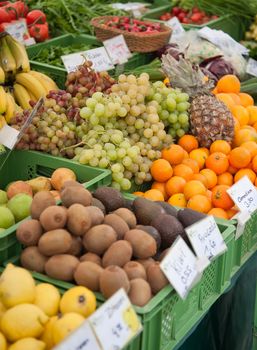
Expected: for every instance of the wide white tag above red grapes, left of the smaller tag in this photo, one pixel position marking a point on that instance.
(99, 57)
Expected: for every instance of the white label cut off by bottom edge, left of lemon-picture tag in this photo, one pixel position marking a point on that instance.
(82, 338)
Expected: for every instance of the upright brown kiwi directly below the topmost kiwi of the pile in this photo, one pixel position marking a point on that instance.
(79, 220)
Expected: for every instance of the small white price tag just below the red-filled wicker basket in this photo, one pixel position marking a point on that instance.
(117, 49)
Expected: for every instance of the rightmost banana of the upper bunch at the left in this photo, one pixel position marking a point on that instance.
(19, 53)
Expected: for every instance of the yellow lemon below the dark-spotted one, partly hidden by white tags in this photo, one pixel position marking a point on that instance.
(65, 325)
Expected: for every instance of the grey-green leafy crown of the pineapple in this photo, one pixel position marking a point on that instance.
(186, 76)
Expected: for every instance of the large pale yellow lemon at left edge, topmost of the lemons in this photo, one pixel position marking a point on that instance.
(17, 286)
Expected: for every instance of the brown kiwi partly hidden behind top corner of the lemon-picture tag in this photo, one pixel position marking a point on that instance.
(112, 279)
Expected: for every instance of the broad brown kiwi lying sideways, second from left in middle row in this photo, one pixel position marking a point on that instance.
(55, 242)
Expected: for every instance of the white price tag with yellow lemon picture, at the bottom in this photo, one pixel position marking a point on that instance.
(115, 323)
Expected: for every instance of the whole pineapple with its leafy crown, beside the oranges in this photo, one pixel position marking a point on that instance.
(210, 119)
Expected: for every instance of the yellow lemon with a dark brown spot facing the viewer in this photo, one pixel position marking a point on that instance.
(78, 299)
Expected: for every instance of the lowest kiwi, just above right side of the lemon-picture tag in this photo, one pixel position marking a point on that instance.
(140, 292)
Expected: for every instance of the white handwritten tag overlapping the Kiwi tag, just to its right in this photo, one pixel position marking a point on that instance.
(206, 238)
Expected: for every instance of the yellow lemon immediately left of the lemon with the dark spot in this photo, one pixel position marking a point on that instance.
(47, 298)
